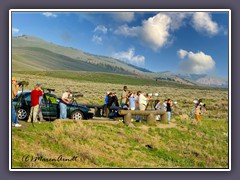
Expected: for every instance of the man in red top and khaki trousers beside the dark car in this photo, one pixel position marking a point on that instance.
(35, 94)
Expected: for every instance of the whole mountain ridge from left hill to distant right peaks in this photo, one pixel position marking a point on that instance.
(33, 53)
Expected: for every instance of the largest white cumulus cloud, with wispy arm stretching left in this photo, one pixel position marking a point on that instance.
(155, 31)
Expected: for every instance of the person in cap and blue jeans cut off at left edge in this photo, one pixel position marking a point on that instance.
(15, 87)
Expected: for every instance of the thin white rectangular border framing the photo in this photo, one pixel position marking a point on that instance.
(121, 10)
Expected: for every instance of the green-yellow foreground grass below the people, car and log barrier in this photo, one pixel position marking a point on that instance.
(114, 145)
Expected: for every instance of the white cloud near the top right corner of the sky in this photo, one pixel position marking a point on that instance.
(202, 22)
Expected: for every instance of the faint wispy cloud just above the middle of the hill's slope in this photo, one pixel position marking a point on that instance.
(130, 57)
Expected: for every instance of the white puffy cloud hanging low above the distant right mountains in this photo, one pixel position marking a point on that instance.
(195, 62)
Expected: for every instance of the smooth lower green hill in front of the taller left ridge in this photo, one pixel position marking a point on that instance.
(39, 59)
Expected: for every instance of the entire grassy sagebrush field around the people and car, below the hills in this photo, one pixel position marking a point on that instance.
(180, 144)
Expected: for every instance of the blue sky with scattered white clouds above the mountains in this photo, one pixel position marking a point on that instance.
(179, 41)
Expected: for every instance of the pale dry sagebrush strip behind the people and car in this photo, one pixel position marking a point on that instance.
(94, 93)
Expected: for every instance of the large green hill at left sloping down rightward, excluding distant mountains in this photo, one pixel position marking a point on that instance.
(36, 47)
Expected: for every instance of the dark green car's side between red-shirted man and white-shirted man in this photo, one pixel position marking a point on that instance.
(49, 106)
